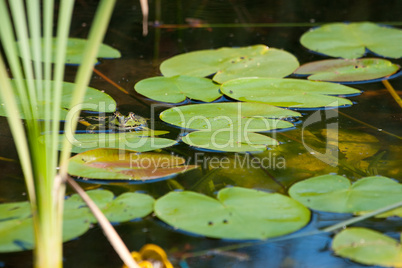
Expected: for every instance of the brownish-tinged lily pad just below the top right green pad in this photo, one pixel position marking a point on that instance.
(344, 70)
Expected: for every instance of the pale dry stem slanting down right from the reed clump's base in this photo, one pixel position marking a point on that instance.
(108, 229)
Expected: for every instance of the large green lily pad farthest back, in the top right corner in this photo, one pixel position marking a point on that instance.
(350, 40)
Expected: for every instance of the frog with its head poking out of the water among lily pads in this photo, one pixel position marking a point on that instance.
(129, 122)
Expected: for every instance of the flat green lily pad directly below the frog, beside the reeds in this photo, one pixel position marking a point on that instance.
(140, 141)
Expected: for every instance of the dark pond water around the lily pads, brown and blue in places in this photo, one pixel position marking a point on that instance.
(371, 126)
